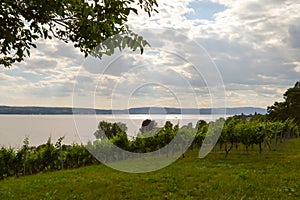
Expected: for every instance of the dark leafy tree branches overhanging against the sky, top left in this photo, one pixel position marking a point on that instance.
(86, 23)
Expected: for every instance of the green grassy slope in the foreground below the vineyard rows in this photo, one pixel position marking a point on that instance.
(239, 176)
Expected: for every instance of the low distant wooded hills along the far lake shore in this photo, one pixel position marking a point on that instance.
(143, 110)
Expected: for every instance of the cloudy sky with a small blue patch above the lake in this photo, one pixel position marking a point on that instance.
(204, 53)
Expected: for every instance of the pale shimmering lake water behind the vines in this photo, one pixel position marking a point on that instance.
(77, 128)
